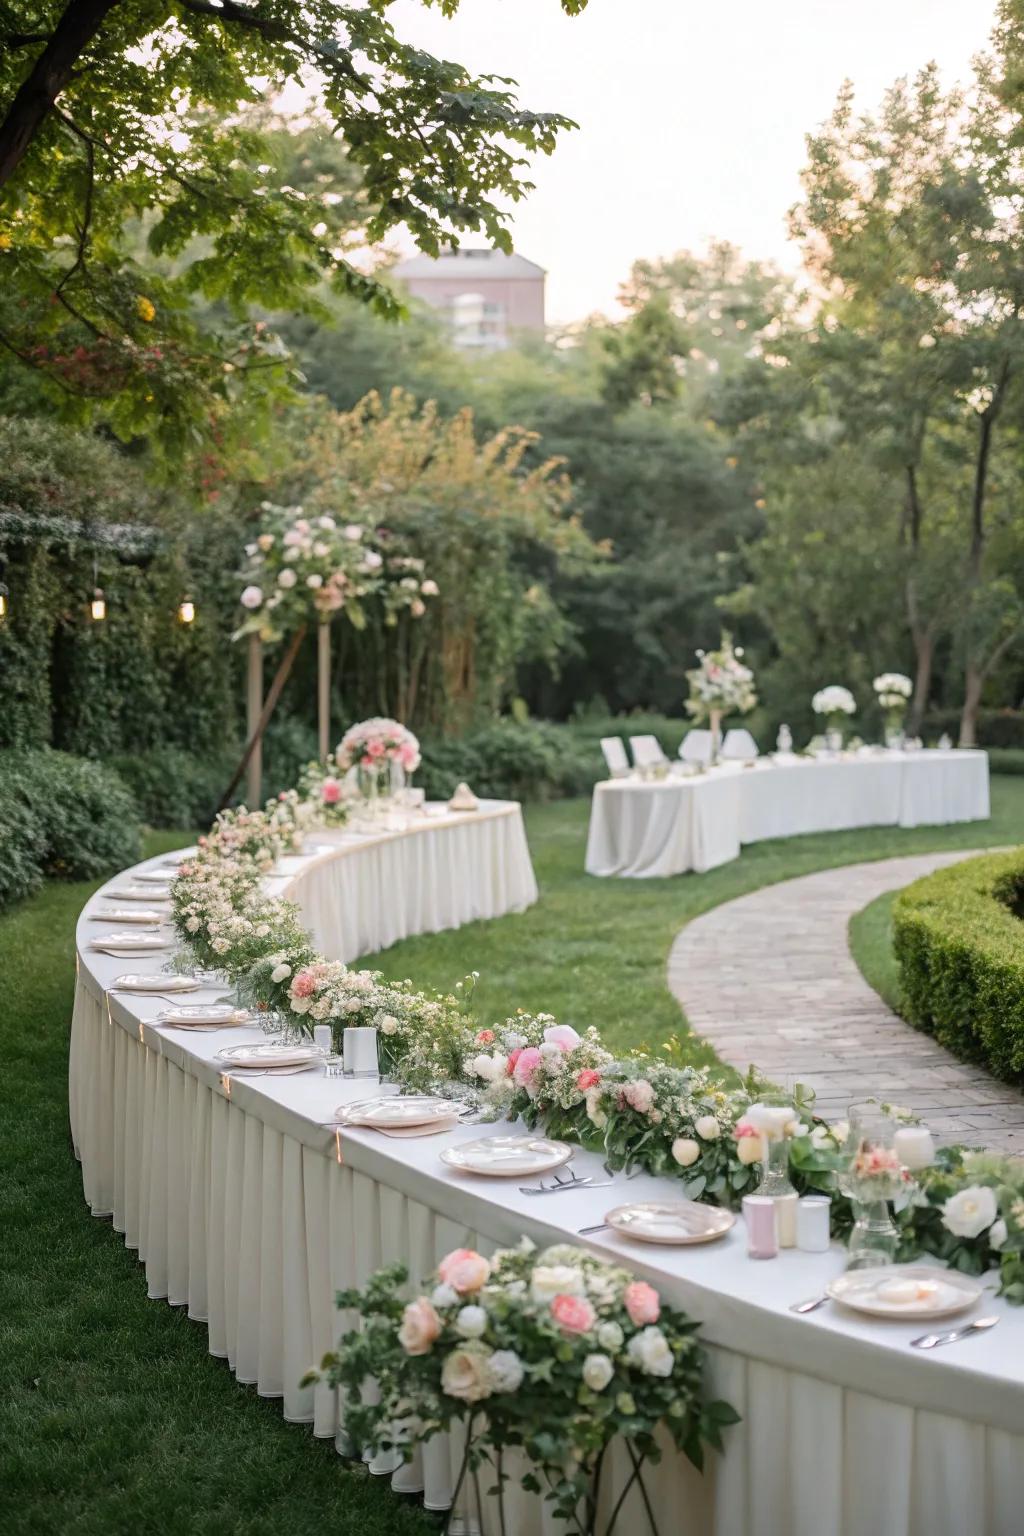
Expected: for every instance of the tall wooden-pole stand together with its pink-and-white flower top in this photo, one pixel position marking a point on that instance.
(306, 571)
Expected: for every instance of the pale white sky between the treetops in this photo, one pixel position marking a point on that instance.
(693, 114)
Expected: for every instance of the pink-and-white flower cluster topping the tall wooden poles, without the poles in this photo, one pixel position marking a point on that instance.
(300, 569)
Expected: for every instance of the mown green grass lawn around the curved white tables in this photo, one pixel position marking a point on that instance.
(114, 1418)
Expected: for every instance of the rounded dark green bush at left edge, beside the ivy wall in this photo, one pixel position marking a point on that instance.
(62, 816)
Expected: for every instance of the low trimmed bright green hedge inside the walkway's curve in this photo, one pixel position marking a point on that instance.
(960, 944)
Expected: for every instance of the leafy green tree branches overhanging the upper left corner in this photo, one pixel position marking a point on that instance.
(125, 111)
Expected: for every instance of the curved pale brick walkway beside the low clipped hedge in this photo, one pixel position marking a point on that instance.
(770, 979)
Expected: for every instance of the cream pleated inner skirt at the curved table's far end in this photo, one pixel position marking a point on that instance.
(362, 893)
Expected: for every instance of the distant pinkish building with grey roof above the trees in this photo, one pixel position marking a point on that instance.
(486, 294)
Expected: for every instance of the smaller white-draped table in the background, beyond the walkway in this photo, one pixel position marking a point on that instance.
(642, 829)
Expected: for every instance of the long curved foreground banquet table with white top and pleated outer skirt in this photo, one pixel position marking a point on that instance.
(248, 1210)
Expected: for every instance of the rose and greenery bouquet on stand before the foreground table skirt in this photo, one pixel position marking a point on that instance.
(546, 1356)
